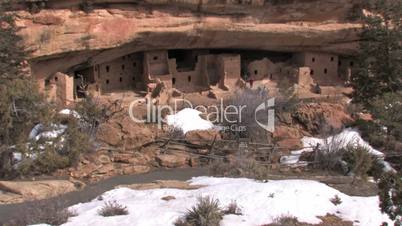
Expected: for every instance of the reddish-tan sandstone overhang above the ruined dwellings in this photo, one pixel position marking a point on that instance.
(65, 36)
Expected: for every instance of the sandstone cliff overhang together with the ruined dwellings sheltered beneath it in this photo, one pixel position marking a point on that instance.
(126, 46)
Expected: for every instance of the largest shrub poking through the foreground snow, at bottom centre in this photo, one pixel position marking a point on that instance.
(205, 213)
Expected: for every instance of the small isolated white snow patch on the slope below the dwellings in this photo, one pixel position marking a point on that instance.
(187, 120)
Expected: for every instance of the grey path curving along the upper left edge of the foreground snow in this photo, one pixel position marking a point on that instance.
(11, 211)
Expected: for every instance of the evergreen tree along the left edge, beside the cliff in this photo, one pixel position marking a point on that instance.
(20, 103)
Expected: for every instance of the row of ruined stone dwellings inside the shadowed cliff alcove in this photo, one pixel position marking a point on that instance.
(195, 71)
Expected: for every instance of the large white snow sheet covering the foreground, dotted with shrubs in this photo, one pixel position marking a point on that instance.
(260, 203)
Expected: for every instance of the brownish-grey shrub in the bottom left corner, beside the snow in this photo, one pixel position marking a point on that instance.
(52, 212)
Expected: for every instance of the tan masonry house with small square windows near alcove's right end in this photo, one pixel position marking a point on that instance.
(323, 67)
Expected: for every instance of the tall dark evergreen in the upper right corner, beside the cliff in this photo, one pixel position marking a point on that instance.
(380, 60)
